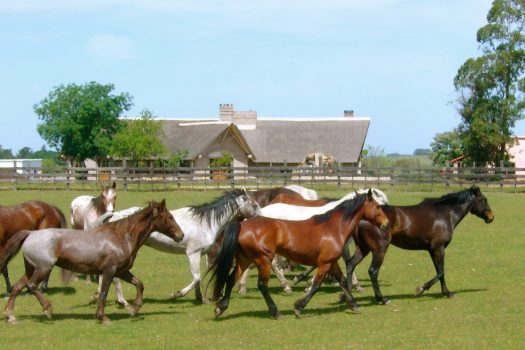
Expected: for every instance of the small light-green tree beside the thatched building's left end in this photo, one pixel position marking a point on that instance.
(139, 139)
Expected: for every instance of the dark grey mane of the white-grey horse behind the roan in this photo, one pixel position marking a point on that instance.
(217, 208)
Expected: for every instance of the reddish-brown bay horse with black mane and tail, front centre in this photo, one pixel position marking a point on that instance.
(317, 241)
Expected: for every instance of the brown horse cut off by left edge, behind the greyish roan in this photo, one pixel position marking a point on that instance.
(33, 215)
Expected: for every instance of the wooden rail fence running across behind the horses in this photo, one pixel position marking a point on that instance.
(133, 179)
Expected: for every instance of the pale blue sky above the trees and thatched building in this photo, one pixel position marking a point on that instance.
(391, 60)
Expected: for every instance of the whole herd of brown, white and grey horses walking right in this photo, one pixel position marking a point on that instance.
(240, 228)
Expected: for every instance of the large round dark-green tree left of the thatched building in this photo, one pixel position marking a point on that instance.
(80, 120)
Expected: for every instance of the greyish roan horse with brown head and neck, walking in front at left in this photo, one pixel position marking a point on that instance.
(108, 250)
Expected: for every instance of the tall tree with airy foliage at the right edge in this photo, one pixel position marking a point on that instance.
(491, 87)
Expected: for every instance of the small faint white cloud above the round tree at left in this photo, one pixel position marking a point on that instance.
(110, 47)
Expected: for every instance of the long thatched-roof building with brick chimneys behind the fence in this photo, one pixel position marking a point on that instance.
(264, 141)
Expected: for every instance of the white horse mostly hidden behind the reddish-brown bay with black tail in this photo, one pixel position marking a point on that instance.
(295, 212)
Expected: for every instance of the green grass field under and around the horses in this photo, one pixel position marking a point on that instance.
(484, 265)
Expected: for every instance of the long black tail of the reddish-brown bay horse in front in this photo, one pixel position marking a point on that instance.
(221, 267)
